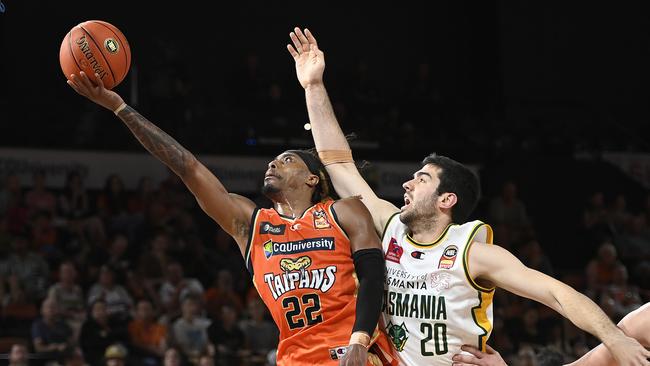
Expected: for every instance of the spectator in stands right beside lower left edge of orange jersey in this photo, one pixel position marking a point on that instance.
(260, 333)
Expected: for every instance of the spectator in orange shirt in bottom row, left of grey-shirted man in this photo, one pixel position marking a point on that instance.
(147, 335)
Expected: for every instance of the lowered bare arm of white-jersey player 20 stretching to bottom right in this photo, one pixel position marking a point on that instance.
(499, 267)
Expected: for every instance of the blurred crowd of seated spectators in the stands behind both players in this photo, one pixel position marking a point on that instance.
(141, 276)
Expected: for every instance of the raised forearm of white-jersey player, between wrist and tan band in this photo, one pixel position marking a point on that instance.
(325, 128)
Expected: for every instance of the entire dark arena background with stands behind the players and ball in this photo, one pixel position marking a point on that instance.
(549, 103)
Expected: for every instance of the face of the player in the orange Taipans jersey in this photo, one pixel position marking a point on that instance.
(285, 173)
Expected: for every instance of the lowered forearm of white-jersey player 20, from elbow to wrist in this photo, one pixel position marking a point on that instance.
(586, 315)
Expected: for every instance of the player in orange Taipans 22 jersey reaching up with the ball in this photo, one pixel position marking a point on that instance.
(304, 254)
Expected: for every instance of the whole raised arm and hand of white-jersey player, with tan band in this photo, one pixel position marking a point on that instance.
(310, 65)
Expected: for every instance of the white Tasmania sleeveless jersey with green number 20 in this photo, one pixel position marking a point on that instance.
(431, 304)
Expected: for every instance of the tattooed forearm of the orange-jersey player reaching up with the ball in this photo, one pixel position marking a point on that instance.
(159, 144)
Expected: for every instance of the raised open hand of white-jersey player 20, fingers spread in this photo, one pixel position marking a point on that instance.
(310, 60)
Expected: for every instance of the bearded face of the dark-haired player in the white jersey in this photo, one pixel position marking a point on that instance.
(420, 196)
